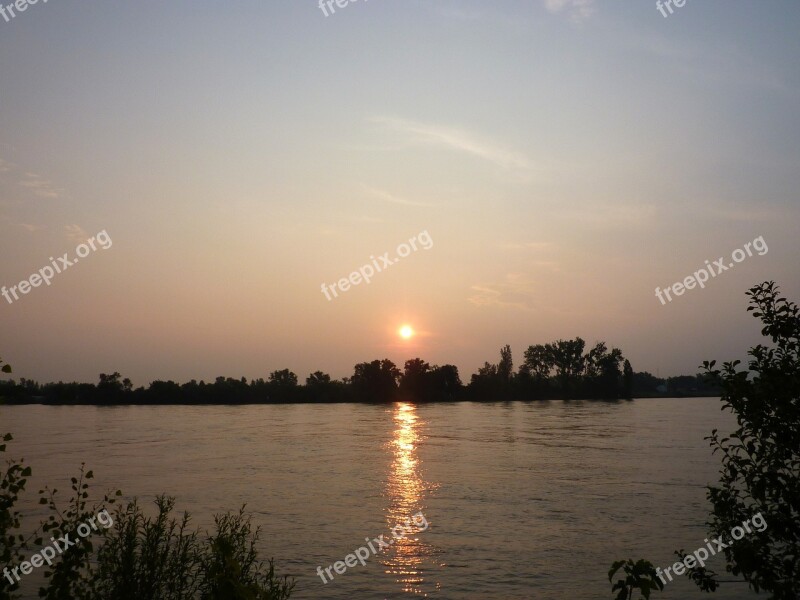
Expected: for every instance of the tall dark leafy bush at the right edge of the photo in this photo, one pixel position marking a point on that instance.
(760, 471)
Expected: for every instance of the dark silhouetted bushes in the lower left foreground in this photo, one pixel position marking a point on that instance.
(136, 557)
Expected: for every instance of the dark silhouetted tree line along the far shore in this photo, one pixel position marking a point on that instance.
(563, 369)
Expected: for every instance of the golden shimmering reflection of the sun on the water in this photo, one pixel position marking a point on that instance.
(406, 490)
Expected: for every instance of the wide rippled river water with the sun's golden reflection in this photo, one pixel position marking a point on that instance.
(523, 500)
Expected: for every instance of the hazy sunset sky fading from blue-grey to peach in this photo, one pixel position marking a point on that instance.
(564, 158)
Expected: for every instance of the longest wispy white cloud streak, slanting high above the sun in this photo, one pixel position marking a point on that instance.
(455, 139)
